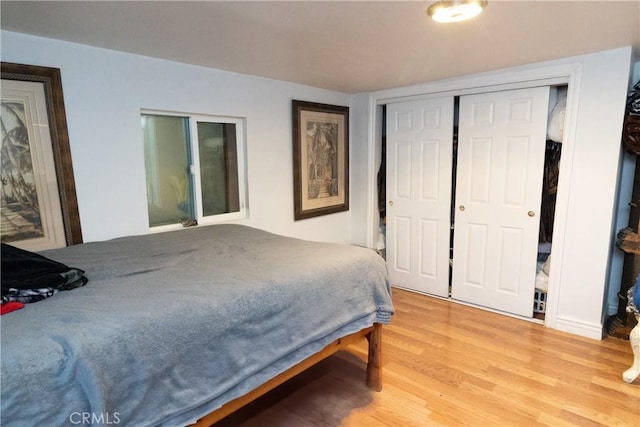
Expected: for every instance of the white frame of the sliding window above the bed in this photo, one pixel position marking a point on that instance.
(194, 167)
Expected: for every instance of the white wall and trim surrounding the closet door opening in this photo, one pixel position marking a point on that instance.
(584, 259)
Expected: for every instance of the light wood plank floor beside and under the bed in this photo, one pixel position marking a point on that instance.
(447, 364)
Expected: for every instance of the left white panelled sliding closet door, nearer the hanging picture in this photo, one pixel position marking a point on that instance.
(419, 158)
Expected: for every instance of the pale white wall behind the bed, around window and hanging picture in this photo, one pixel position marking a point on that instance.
(104, 91)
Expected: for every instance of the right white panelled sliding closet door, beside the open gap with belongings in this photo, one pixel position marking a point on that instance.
(501, 146)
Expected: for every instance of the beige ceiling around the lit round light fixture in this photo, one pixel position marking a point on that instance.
(355, 46)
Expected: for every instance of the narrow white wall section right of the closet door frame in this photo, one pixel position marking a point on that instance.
(591, 263)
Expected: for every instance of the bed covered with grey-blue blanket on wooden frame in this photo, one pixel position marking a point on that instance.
(184, 327)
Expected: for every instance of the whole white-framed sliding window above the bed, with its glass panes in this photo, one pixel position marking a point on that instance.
(194, 167)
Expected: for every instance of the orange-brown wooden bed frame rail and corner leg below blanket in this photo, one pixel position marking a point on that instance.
(373, 334)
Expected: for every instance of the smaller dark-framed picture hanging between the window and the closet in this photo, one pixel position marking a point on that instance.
(320, 159)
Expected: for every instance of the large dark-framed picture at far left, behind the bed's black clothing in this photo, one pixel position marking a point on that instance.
(38, 200)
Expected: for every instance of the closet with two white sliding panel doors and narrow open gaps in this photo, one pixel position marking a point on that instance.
(469, 195)
